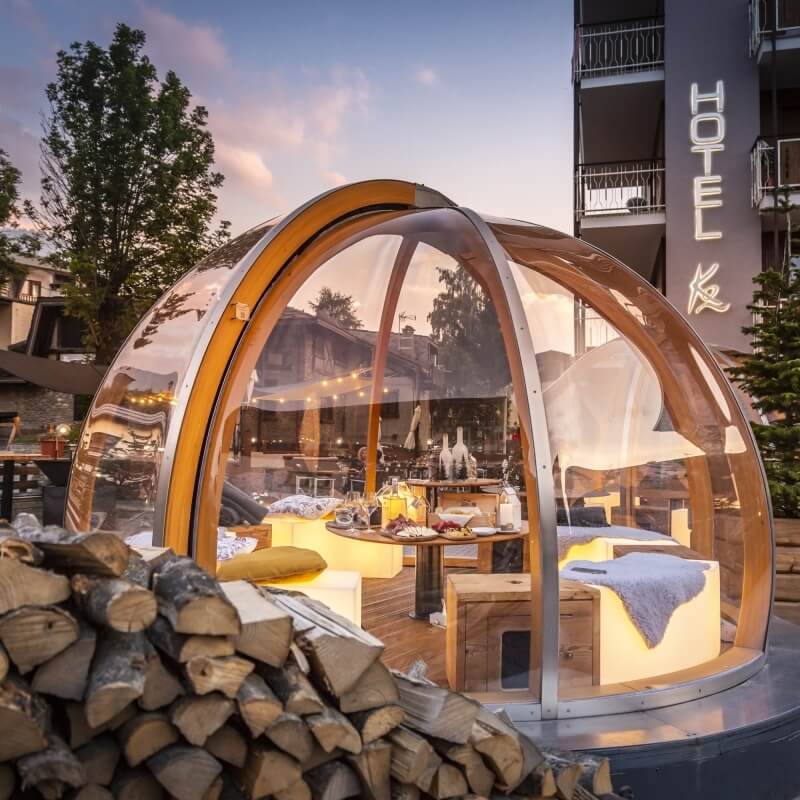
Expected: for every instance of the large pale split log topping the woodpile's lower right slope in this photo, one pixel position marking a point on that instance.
(434, 711)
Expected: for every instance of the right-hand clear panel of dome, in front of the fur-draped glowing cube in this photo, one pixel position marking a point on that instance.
(656, 484)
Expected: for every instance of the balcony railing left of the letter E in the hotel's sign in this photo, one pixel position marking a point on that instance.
(619, 187)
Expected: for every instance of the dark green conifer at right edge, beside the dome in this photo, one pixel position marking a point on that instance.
(771, 375)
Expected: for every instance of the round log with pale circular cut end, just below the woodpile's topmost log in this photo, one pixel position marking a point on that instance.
(114, 603)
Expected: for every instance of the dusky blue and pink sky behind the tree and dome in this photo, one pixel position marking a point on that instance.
(470, 97)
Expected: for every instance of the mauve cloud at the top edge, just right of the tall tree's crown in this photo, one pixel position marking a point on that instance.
(175, 43)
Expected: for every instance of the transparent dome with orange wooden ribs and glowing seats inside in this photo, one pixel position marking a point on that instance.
(500, 371)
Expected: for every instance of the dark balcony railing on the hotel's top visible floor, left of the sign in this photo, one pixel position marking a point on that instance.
(618, 48)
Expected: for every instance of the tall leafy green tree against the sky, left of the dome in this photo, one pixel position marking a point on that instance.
(128, 189)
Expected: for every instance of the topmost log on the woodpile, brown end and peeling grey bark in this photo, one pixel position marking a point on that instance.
(90, 553)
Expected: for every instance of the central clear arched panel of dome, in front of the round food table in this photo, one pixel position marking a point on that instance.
(388, 335)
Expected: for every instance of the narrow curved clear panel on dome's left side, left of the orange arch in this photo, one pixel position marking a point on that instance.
(118, 459)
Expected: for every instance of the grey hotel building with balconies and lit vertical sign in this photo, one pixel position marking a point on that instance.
(687, 130)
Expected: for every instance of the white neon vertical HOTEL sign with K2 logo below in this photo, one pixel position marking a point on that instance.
(707, 135)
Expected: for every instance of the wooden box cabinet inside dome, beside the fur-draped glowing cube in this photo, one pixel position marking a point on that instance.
(483, 609)
